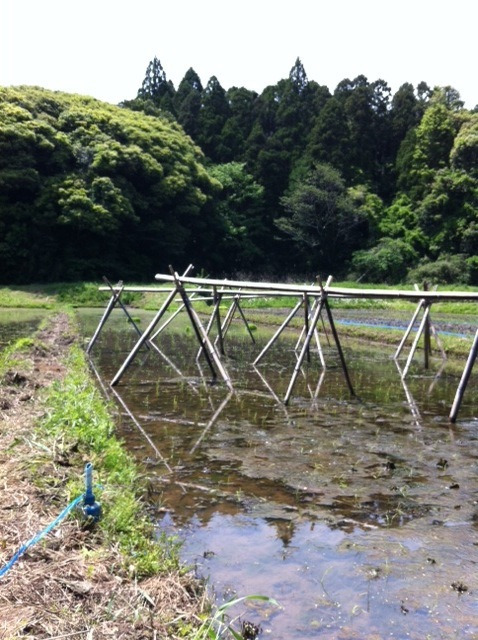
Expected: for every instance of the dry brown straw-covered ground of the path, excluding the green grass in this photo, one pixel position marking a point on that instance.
(69, 584)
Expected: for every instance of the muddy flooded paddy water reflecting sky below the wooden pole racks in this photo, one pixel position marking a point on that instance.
(359, 516)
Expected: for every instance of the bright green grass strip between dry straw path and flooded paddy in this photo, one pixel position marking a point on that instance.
(78, 416)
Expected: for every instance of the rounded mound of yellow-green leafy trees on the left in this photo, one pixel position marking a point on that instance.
(88, 188)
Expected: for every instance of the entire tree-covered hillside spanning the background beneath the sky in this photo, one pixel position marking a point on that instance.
(296, 180)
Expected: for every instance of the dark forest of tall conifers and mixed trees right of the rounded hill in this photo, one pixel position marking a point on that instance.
(406, 164)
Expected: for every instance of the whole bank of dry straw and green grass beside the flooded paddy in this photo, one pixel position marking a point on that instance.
(109, 578)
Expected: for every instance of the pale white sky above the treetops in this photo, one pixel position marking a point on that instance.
(102, 47)
